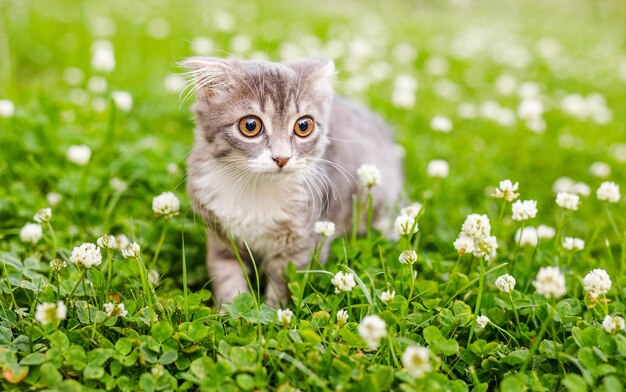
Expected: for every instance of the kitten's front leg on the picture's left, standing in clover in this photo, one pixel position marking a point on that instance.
(227, 278)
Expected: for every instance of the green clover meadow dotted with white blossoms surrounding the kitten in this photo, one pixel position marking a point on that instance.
(104, 287)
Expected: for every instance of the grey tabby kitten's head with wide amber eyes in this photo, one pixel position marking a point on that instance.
(267, 117)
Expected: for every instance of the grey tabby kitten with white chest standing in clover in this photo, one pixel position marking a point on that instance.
(275, 151)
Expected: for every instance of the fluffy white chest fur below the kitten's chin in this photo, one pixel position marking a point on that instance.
(253, 208)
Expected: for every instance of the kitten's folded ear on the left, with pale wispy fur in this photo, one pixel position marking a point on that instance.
(212, 76)
